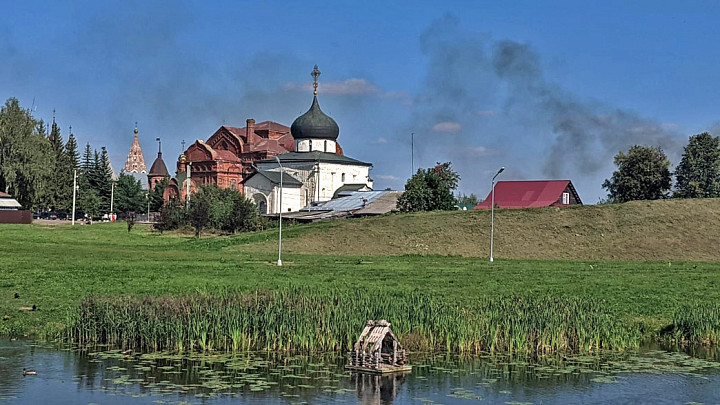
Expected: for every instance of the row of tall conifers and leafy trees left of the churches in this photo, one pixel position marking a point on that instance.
(37, 167)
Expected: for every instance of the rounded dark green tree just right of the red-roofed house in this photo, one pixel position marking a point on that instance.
(643, 173)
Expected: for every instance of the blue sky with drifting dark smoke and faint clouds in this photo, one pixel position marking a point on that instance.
(546, 89)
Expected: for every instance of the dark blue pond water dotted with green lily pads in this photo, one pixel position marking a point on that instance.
(64, 376)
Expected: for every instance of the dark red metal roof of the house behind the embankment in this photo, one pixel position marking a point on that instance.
(527, 194)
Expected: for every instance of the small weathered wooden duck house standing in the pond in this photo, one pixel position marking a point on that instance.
(378, 350)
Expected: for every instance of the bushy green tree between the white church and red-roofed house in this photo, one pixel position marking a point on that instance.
(430, 189)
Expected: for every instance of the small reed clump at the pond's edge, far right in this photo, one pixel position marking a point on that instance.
(695, 323)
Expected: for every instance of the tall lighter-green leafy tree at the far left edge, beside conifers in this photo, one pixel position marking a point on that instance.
(25, 156)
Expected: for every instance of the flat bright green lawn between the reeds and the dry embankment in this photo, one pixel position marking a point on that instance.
(55, 267)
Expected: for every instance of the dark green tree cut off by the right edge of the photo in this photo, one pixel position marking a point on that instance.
(698, 174)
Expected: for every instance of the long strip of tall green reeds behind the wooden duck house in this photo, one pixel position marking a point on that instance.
(304, 320)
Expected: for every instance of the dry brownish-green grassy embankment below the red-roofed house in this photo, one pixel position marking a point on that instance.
(671, 230)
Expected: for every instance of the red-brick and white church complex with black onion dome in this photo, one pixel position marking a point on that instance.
(306, 158)
